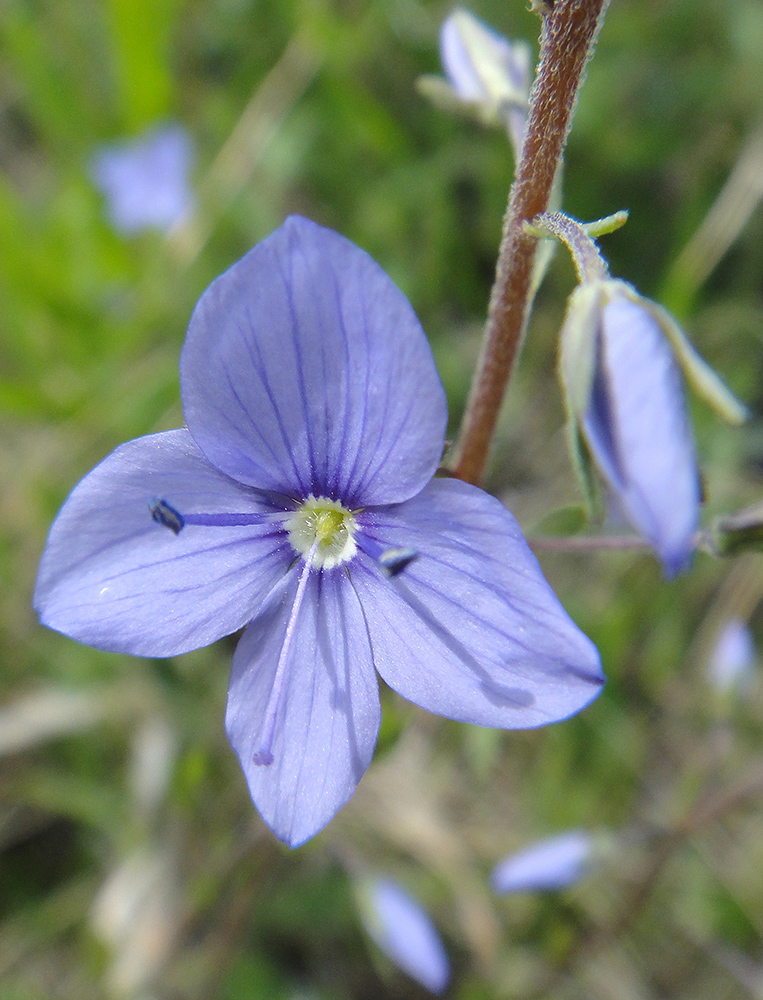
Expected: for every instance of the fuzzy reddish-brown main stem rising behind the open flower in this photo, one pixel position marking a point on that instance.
(567, 39)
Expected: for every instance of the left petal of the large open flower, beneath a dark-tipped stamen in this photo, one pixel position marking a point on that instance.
(115, 579)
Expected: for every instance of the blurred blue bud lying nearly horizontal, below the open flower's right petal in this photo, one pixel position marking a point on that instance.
(550, 864)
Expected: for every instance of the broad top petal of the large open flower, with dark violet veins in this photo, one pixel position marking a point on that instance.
(305, 370)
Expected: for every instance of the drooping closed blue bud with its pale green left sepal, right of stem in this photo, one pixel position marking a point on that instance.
(624, 393)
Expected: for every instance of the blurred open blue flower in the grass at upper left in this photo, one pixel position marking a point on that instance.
(145, 181)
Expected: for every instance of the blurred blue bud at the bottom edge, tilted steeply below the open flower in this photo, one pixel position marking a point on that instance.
(404, 932)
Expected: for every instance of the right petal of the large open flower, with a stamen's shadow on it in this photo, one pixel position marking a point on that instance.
(471, 629)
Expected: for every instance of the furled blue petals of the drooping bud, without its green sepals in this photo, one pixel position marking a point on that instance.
(639, 432)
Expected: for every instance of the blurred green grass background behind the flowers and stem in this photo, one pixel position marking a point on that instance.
(91, 325)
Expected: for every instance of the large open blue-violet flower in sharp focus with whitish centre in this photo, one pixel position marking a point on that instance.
(299, 502)
